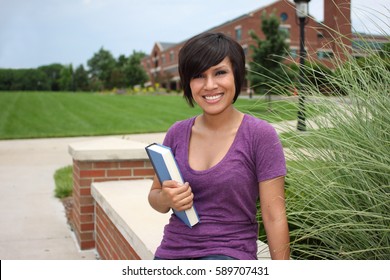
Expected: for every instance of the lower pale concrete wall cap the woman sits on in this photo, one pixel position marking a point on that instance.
(126, 204)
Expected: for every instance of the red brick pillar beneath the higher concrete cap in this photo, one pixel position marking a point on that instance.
(87, 172)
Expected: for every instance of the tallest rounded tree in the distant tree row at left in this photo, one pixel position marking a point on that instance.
(101, 66)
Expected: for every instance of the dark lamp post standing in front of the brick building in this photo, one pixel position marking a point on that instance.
(302, 7)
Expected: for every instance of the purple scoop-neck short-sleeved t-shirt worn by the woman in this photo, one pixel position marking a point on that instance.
(225, 195)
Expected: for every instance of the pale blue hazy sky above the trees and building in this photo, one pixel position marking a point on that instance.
(41, 32)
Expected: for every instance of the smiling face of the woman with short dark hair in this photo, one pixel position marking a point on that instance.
(214, 89)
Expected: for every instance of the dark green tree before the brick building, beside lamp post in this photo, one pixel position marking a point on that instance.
(266, 68)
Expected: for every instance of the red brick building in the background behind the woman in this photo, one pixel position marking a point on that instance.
(321, 39)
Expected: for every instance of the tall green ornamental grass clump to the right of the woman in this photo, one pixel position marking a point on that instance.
(338, 185)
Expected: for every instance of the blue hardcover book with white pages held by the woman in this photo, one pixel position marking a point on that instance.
(166, 168)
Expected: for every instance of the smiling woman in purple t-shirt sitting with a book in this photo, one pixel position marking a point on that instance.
(229, 160)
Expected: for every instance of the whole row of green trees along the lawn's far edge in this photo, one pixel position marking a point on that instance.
(105, 72)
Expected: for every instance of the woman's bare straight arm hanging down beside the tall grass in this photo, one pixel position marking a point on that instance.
(273, 211)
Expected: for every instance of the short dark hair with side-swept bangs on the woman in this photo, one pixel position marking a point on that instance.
(206, 50)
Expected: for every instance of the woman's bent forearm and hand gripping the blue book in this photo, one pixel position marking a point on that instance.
(170, 195)
